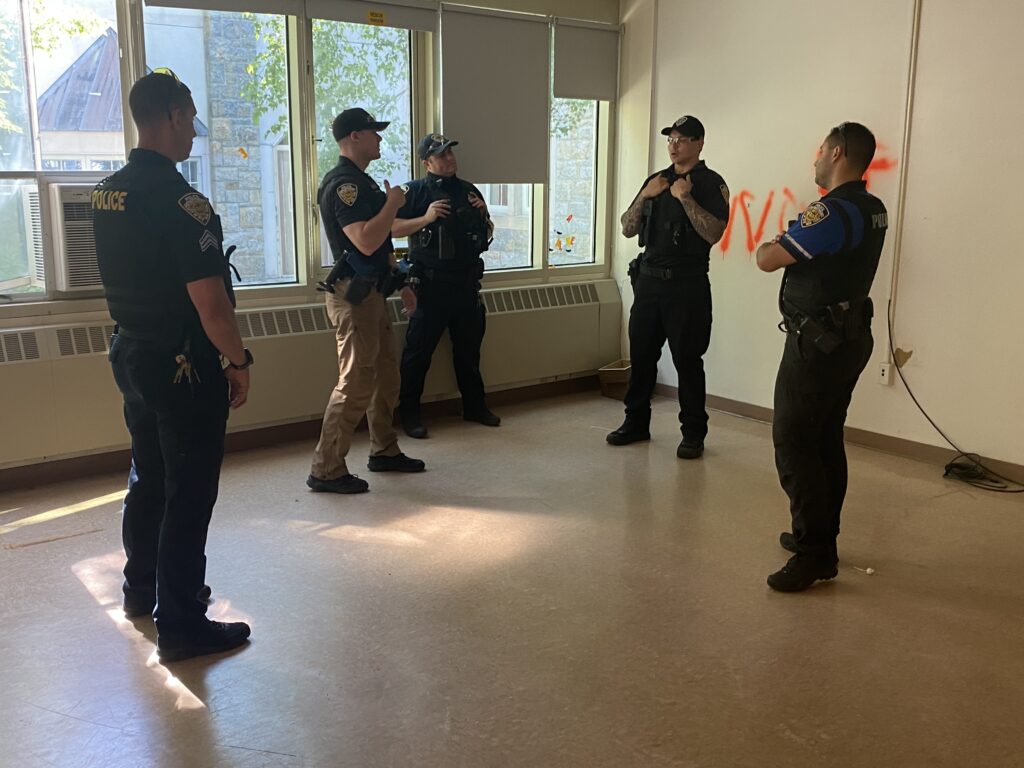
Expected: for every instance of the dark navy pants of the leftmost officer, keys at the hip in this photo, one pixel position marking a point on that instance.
(178, 443)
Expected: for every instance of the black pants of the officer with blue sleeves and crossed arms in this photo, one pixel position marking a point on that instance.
(813, 395)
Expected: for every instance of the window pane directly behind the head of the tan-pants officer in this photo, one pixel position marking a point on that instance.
(360, 66)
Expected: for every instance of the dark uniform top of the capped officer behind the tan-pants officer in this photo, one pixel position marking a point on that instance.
(470, 228)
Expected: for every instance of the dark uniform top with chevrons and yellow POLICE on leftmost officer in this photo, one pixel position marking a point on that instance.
(155, 234)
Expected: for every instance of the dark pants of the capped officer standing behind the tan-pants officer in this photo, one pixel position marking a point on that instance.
(445, 305)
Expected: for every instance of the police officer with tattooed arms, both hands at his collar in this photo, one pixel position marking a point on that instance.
(678, 216)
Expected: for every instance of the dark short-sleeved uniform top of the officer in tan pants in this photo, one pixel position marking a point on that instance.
(347, 196)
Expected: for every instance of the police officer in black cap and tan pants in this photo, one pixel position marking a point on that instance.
(358, 218)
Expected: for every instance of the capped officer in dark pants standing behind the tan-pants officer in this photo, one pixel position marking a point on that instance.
(449, 228)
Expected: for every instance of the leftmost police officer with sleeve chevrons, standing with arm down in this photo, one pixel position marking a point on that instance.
(168, 289)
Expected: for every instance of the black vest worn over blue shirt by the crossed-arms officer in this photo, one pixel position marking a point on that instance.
(812, 286)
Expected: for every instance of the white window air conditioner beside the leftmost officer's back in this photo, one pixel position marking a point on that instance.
(74, 243)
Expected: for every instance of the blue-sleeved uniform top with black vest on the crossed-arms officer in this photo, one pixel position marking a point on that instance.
(837, 243)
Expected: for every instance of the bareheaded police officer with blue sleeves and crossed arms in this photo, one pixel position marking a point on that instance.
(831, 255)
